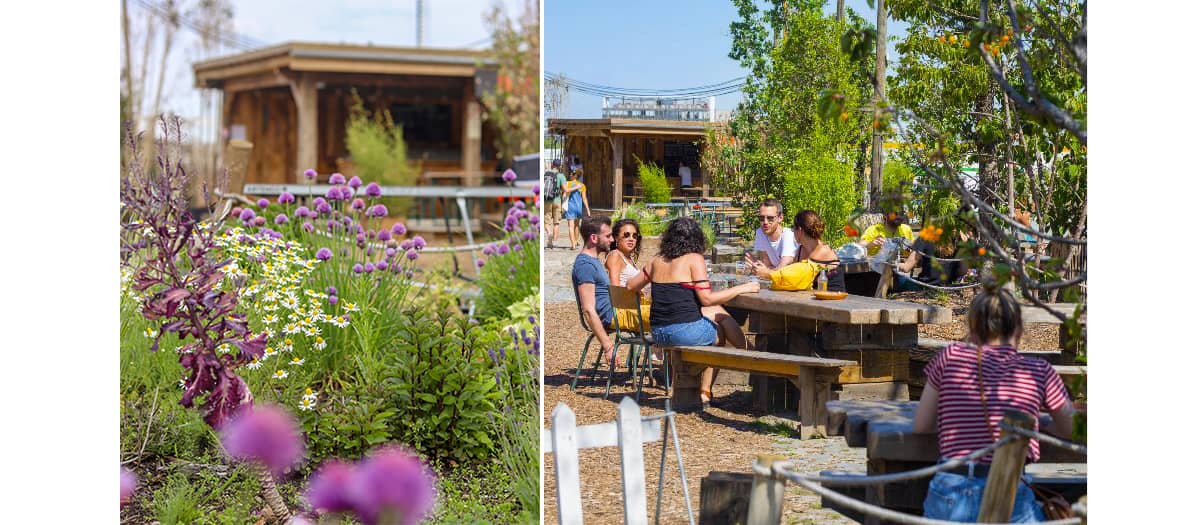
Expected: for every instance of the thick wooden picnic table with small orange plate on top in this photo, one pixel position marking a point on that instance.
(877, 334)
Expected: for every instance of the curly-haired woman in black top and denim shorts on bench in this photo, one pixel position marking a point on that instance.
(685, 310)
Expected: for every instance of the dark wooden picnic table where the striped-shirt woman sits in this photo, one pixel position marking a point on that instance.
(886, 430)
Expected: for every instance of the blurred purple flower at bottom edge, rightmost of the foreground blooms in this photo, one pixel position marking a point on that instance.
(392, 481)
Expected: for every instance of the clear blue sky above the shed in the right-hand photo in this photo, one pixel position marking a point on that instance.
(652, 44)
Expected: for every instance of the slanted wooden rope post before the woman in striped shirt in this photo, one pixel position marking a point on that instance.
(1007, 467)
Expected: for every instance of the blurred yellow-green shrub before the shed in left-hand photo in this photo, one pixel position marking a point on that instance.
(378, 150)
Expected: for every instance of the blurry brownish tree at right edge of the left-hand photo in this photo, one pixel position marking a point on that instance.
(514, 107)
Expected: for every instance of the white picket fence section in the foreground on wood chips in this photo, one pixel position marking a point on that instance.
(630, 432)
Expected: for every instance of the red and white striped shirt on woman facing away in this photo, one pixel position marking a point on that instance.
(1011, 383)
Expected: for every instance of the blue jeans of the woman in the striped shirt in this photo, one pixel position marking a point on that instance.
(958, 498)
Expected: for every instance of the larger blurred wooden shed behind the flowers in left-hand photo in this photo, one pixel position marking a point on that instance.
(292, 103)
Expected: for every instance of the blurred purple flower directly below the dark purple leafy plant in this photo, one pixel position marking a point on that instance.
(266, 435)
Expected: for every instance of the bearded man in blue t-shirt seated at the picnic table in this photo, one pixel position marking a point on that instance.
(592, 281)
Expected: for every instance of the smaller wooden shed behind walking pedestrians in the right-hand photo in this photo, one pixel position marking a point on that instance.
(609, 148)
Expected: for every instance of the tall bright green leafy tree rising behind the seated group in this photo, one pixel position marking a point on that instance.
(776, 145)
